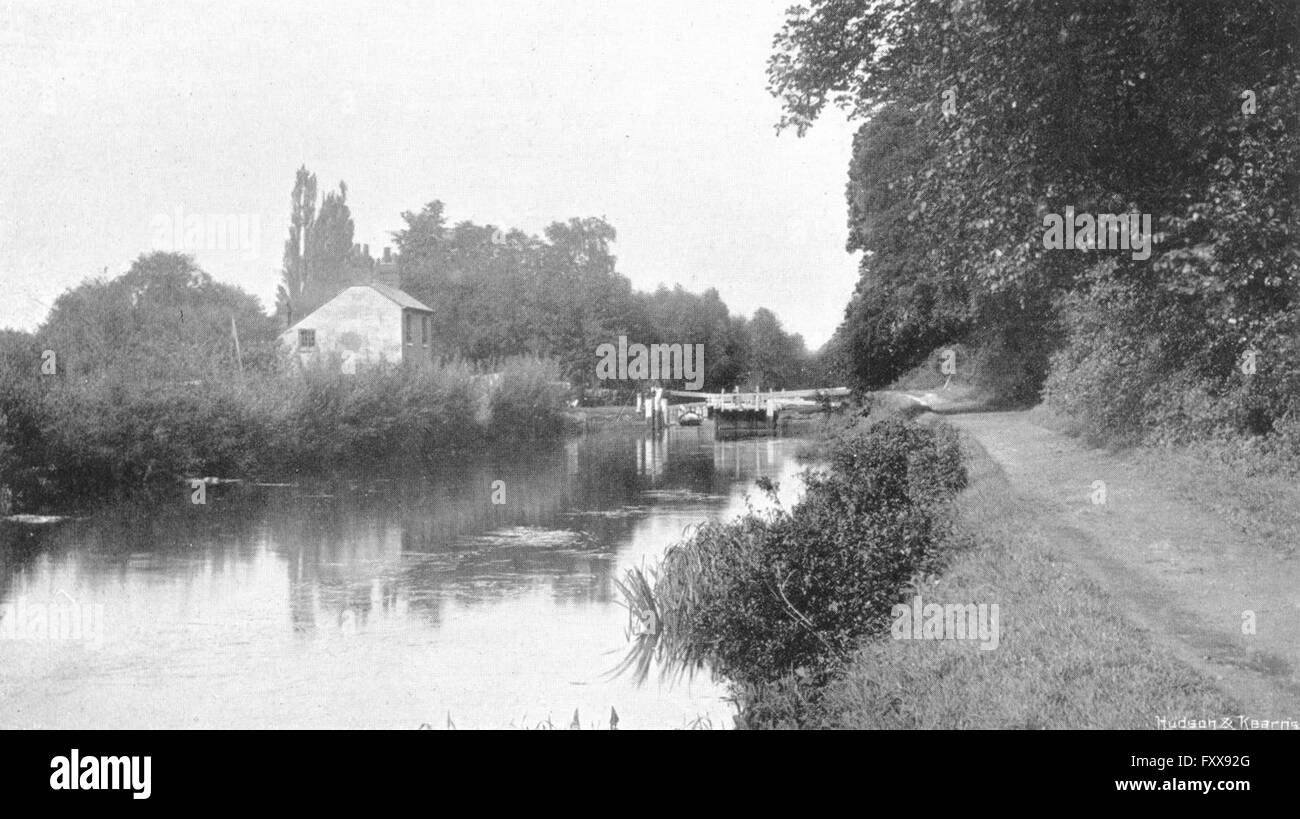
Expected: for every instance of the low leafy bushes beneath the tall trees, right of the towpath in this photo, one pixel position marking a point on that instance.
(1139, 370)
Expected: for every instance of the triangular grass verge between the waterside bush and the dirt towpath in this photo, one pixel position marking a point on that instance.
(1065, 658)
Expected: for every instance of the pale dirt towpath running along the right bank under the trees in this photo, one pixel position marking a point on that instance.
(1177, 570)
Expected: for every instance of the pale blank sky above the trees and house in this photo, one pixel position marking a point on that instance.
(652, 115)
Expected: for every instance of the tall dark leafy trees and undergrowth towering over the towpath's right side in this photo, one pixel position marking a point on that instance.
(982, 120)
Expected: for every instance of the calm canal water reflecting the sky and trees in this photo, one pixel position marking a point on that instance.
(379, 601)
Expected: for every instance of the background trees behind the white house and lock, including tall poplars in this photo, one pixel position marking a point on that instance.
(499, 292)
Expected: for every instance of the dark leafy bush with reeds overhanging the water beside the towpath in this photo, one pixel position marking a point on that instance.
(782, 593)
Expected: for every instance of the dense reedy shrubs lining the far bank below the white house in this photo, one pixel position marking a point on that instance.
(72, 440)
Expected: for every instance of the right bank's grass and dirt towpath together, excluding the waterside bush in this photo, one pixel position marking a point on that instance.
(1172, 597)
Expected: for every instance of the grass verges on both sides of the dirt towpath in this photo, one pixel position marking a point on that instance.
(1067, 660)
